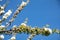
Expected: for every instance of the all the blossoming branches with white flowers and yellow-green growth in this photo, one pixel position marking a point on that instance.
(23, 27)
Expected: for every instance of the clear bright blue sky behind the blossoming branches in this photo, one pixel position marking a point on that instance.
(39, 13)
